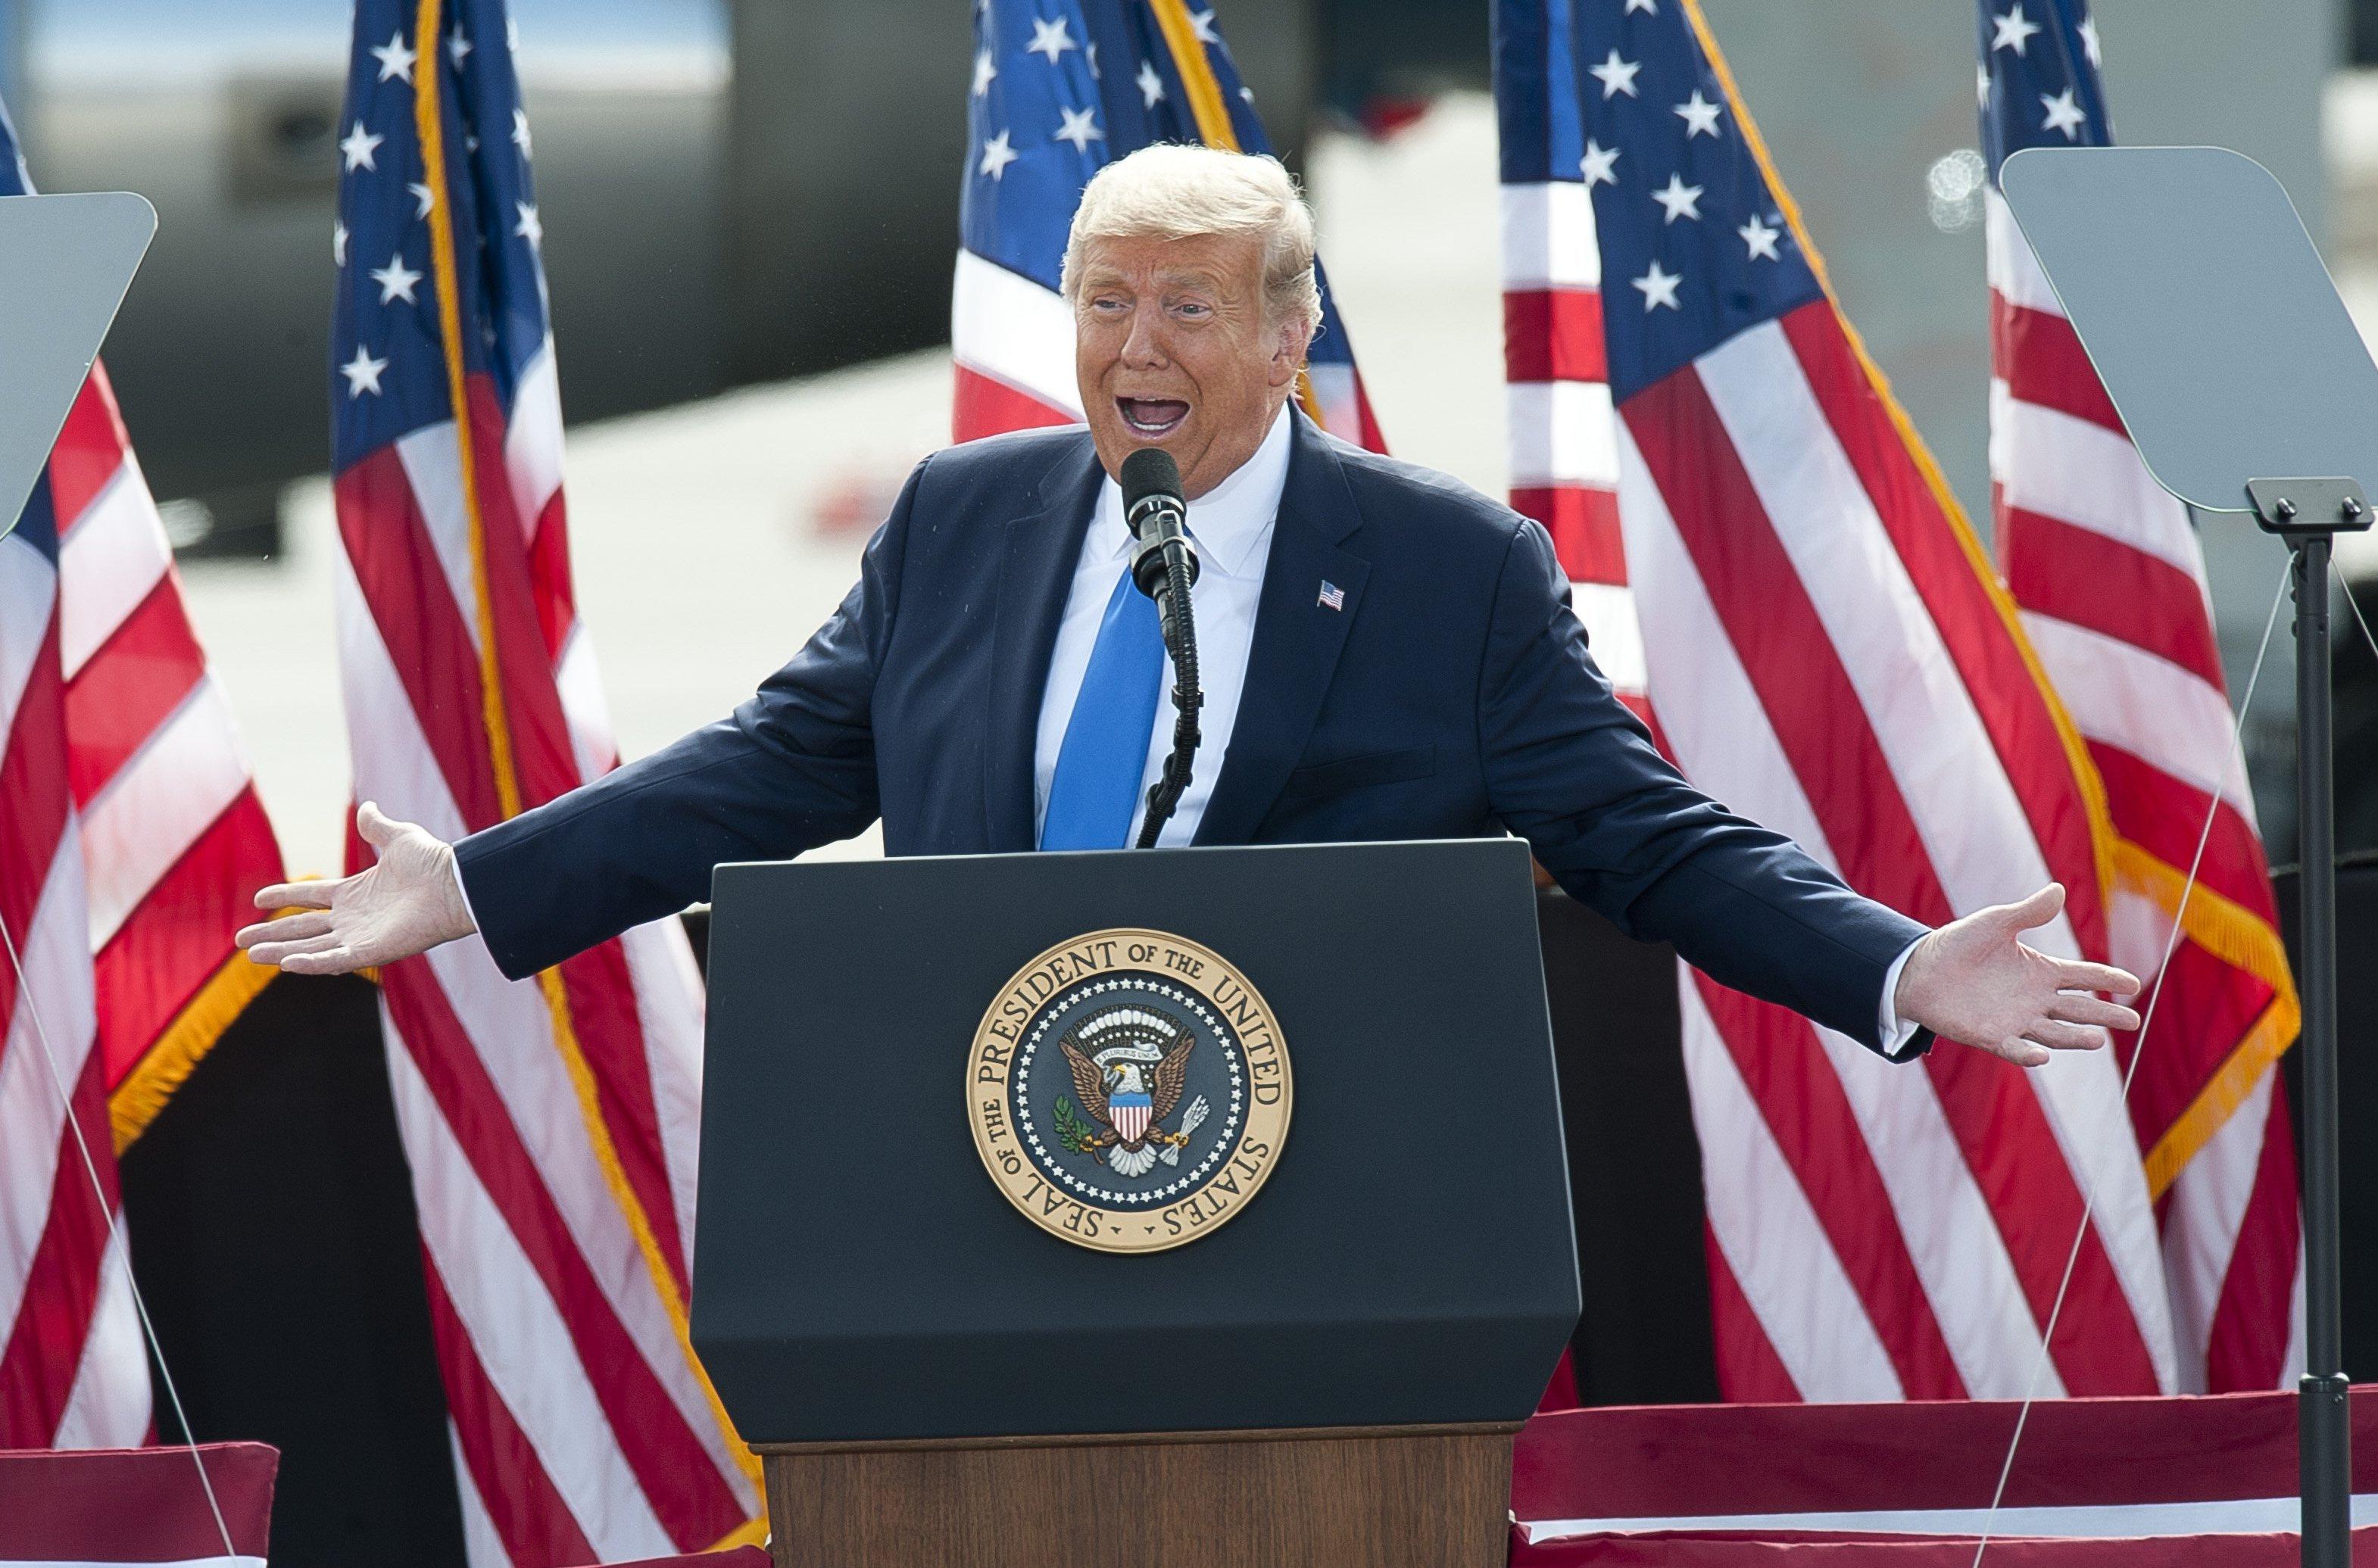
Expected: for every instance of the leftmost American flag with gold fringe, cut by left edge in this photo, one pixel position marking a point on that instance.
(132, 842)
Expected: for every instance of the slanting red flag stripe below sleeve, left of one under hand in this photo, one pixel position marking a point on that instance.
(1808, 1113)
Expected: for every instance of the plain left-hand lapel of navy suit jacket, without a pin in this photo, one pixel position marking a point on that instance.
(1040, 552)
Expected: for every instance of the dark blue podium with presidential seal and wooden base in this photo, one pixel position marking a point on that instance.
(1166, 1206)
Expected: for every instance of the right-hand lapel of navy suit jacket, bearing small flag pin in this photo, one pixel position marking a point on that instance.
(1297, 638)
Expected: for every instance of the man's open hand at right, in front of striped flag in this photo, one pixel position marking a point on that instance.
(1977, 982)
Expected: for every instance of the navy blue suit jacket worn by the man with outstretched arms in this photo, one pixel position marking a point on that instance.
(1449, 697)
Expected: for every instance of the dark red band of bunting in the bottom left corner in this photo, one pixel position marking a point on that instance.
(92, 1505)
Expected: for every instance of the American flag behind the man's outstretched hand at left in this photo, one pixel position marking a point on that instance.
(553, 1123)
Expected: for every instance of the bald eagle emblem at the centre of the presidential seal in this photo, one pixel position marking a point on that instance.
(1128, 1070)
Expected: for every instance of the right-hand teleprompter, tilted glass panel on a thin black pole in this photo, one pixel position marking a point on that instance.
(2265, 386)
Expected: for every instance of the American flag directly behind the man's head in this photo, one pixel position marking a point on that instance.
(1062, 89)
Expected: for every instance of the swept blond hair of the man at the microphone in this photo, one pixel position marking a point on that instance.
(1178, 194)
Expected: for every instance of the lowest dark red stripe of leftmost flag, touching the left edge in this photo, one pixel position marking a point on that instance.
(63, 1279)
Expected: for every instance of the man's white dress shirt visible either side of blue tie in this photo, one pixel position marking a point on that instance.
(1233, 531)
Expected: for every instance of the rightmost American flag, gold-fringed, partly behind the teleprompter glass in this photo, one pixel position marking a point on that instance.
(2108, 574)
